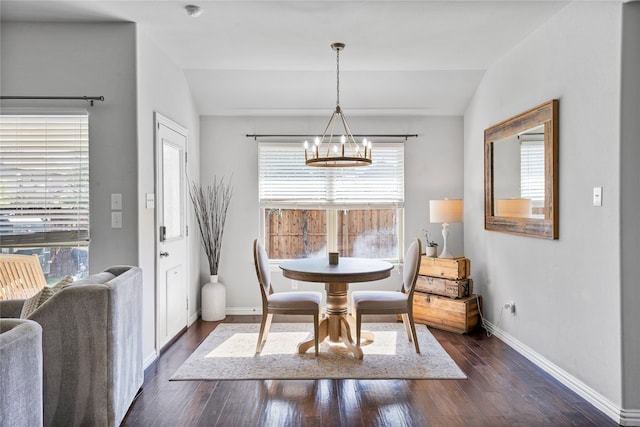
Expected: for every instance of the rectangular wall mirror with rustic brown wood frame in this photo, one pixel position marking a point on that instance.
(521, 173)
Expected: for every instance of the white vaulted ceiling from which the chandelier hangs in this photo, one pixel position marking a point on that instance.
(274, 57)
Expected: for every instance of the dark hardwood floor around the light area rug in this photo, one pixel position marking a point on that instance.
(502, 389)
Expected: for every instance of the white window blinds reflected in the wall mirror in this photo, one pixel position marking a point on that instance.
(532, 170)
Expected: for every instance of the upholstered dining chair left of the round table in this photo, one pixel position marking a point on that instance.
(281, 302)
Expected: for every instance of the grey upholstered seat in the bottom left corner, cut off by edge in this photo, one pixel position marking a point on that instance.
(20, 373)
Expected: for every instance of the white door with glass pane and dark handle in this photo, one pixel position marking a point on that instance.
(171, 241)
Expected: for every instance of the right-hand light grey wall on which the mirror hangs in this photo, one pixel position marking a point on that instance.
(566, 291)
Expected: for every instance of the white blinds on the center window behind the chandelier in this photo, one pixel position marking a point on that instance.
(286, 182)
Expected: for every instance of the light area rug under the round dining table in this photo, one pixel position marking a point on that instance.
(228, 353)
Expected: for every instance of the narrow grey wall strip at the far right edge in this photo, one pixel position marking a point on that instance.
(630, 205)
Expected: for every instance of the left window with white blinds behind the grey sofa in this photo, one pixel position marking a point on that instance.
(44, 190)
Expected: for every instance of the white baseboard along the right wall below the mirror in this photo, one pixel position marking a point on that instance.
(619, 415)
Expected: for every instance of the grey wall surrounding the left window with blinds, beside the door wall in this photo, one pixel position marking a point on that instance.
(58, 59)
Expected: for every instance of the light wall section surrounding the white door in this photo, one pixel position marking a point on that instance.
(162, 88)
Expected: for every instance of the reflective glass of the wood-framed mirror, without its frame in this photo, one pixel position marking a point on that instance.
(518, 187)
